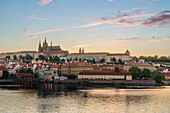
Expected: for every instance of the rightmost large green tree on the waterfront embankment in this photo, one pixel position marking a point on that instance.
(158, 76)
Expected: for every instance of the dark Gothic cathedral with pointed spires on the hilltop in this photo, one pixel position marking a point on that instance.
(45, 47)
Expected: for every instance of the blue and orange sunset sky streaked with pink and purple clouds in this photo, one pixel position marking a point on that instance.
(141, 26)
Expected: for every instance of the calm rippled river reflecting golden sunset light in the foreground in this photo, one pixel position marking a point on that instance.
(50, 98)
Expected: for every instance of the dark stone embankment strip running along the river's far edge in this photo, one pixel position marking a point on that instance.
(89, 82)
